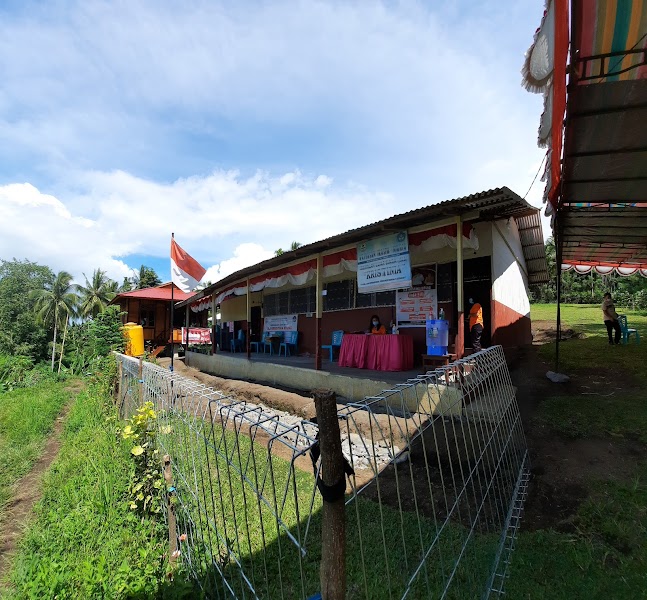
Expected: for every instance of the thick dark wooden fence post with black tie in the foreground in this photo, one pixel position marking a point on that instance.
(333, 527)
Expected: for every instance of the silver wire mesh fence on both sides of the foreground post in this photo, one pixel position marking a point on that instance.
(439, 476)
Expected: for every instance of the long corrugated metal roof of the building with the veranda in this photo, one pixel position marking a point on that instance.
(499, 203)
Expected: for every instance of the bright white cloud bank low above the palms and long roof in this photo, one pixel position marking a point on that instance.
(223, 220)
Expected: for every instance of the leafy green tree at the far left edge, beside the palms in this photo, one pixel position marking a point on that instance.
(20, 331)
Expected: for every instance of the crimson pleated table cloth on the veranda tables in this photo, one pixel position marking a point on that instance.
(377, 352)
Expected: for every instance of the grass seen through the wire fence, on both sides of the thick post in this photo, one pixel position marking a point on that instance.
(393, 542)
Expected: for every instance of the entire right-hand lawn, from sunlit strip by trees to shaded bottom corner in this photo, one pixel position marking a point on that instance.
(604, 554)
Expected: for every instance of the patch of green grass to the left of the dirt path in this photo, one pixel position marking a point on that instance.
(27, 416)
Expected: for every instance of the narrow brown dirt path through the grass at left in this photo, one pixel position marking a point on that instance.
(28, 492)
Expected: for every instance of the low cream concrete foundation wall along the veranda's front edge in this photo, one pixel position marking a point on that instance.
(294, 377)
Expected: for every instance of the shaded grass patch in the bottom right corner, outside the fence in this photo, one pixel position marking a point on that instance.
(604, 558)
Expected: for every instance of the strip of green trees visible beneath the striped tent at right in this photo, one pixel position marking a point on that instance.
(630, 292)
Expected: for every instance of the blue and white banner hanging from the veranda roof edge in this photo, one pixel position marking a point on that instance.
(383, 263)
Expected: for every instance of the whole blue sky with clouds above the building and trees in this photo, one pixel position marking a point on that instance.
(244, 126)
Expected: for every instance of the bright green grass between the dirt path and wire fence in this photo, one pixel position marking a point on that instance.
(84, 541)
